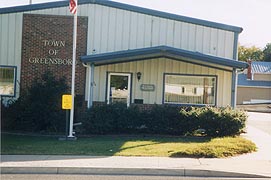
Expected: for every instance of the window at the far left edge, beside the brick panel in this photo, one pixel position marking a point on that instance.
(7, 80)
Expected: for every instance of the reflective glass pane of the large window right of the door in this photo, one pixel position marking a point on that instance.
(190, 89)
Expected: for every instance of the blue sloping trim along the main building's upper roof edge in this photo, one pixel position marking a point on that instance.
(123, 6)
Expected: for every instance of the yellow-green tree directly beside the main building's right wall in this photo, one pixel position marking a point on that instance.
(250, 53)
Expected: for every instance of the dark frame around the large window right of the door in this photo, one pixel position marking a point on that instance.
(192, 75)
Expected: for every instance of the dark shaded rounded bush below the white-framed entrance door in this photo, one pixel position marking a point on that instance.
(111, 119)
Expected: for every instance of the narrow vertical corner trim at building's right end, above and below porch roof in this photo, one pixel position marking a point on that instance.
(234, 72)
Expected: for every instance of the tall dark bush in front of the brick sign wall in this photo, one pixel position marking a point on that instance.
(39, 108)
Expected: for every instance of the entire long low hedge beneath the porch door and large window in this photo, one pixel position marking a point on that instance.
(168, 120)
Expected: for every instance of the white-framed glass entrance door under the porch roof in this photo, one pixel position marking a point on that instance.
(118, 90)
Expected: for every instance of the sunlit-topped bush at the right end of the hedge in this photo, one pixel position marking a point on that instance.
(216, 122)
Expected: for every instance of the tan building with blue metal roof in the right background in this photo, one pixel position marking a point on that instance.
(254, 85)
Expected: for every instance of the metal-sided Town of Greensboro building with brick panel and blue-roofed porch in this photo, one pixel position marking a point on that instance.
(124, 53)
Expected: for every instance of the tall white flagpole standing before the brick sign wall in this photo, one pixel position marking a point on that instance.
(73, 71)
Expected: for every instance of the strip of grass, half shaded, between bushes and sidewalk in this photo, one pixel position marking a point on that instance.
(128, 146)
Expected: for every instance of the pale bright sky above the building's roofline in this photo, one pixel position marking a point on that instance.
(252, 15)
